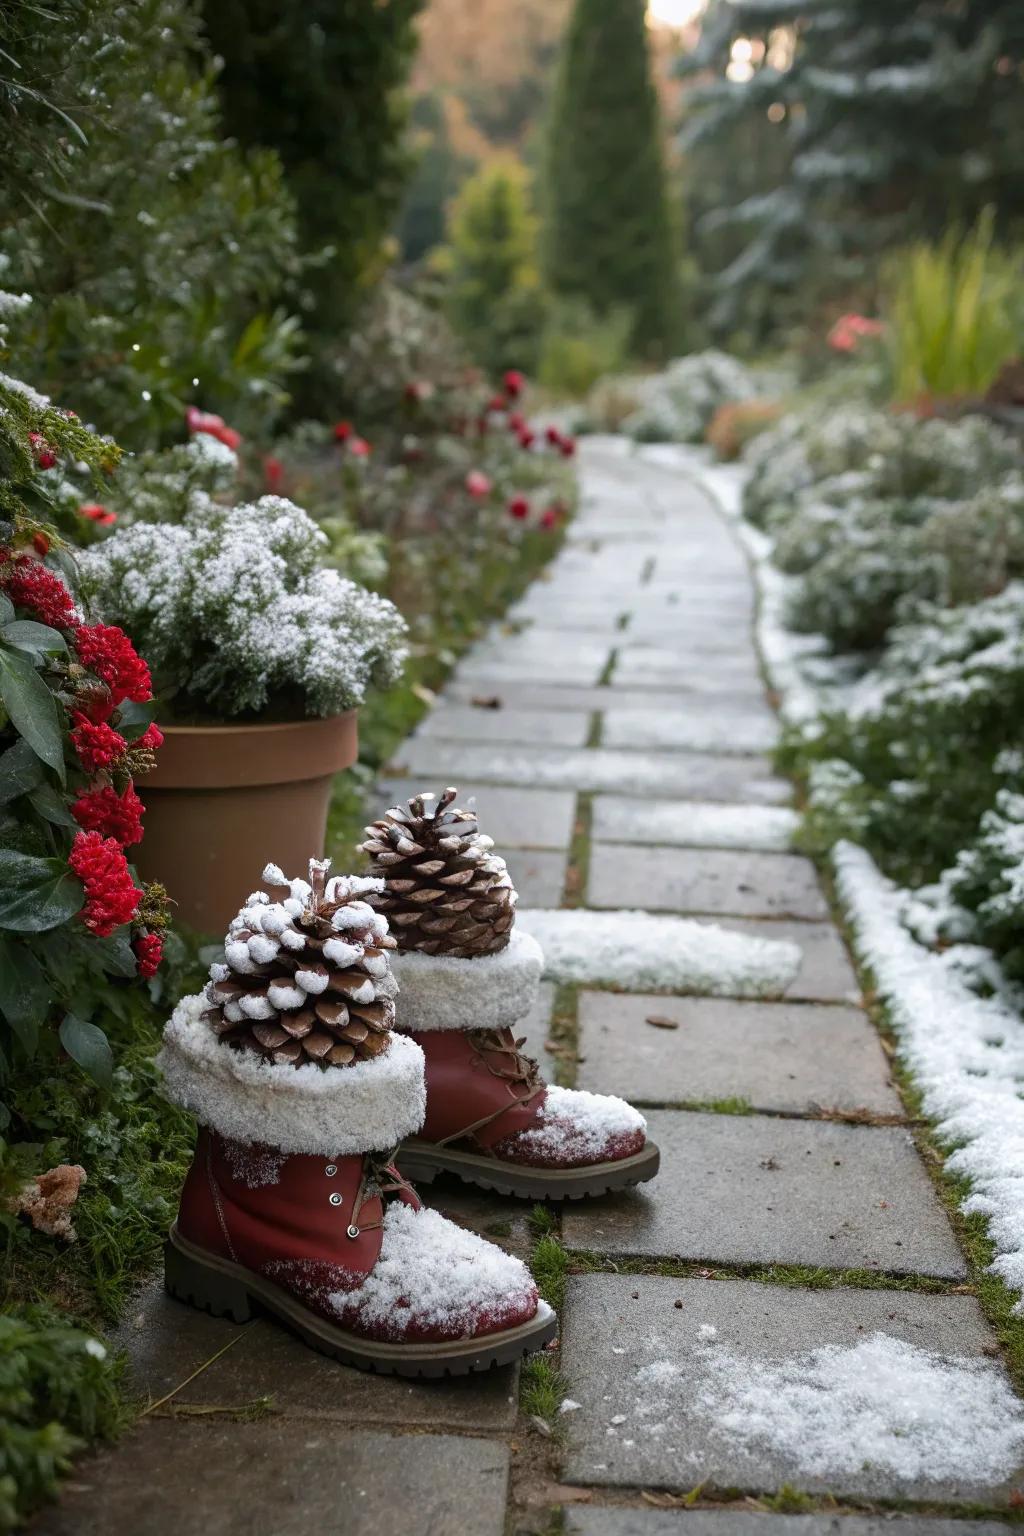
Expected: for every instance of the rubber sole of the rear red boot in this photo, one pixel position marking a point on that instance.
(421, 1162)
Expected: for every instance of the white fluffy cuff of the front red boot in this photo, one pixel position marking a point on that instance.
(365, 1108)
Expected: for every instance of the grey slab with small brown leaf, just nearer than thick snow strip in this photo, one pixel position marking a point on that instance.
(791, 1058)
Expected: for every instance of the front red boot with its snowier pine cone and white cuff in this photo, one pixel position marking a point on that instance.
(294, 1205)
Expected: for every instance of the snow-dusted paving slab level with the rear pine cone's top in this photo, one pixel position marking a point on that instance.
(693, 824)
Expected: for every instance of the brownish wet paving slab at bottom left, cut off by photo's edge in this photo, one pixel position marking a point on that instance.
(277, 1478)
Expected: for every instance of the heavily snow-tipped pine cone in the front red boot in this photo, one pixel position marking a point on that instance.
(306, 979)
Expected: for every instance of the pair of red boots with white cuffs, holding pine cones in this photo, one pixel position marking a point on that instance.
(308, 1099)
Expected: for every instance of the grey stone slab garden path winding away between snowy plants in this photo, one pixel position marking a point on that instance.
(627, 767)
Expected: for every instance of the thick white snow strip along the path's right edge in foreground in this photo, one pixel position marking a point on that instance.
(965, 1051)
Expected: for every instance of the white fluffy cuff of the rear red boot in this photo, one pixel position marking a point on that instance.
(443, 993)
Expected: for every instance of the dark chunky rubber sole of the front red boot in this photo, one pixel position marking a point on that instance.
(228, 1291)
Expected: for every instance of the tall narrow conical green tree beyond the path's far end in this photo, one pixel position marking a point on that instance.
(609, 233)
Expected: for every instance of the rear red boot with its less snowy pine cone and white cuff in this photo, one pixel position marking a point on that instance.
(467, 976)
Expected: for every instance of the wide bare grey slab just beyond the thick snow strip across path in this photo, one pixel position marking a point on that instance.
(705, 881)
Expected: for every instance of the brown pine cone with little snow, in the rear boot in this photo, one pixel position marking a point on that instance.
(446, 892)
